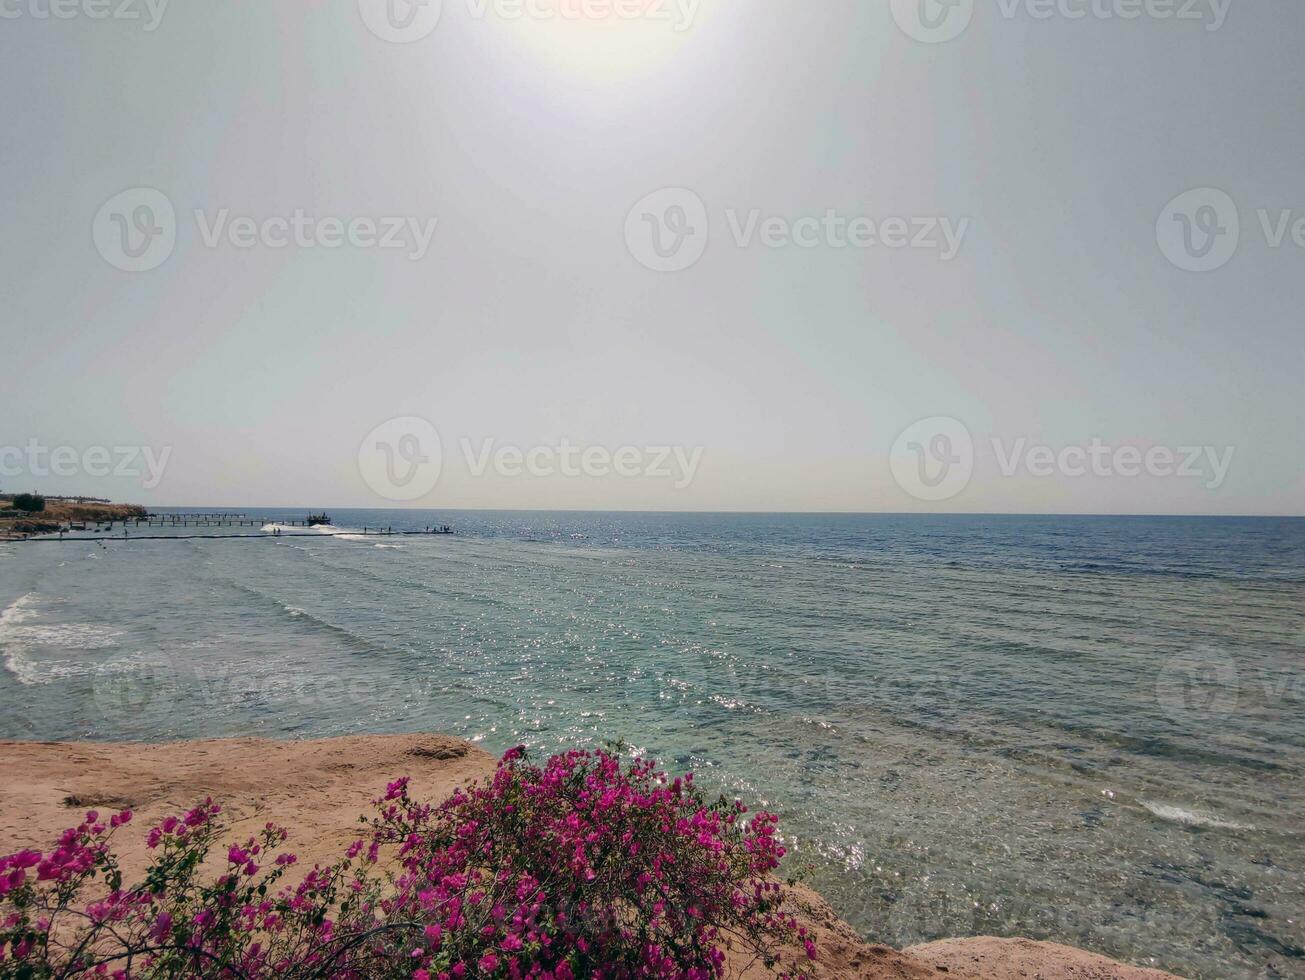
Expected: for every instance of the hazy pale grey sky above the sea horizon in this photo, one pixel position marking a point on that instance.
(994, 256)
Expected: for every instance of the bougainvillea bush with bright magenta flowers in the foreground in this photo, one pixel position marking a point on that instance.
(585, 867)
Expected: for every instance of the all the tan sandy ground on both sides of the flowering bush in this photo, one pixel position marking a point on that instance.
(322, 788)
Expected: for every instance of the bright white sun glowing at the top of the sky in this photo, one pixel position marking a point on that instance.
(602, 38)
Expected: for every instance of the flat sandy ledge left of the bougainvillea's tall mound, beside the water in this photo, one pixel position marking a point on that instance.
(318, 788)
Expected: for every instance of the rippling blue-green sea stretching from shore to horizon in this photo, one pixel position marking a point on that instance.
(1088, 730)
